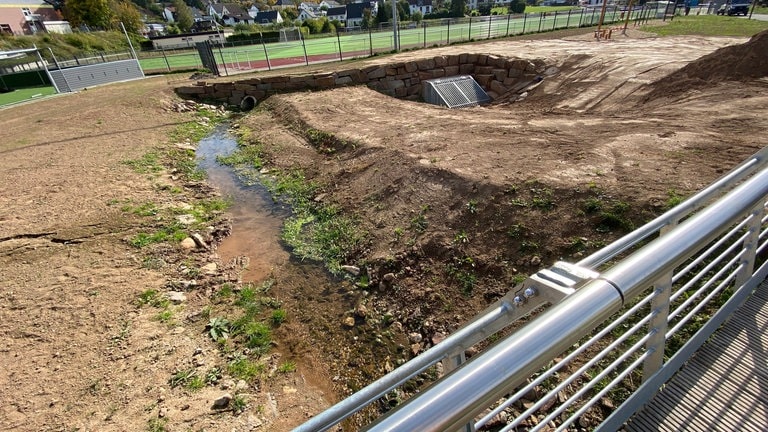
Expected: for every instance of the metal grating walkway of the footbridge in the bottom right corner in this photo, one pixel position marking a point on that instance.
(724, 386)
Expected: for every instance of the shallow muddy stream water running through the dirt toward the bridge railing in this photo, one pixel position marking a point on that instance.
(310, 294)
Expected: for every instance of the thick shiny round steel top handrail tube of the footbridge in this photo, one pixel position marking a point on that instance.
(455, 400)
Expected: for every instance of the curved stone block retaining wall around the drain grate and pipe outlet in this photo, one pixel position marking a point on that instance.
(497, 75)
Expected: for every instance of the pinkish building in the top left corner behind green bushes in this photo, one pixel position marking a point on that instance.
(18, 17)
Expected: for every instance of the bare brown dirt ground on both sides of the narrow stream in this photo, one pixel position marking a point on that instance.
(456, 205)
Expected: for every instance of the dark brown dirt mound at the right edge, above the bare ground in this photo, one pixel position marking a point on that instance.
(741, 63)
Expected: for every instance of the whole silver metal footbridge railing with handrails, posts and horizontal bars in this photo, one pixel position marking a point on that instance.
(619, 324)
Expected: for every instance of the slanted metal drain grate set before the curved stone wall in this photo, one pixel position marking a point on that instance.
(455, 92)
